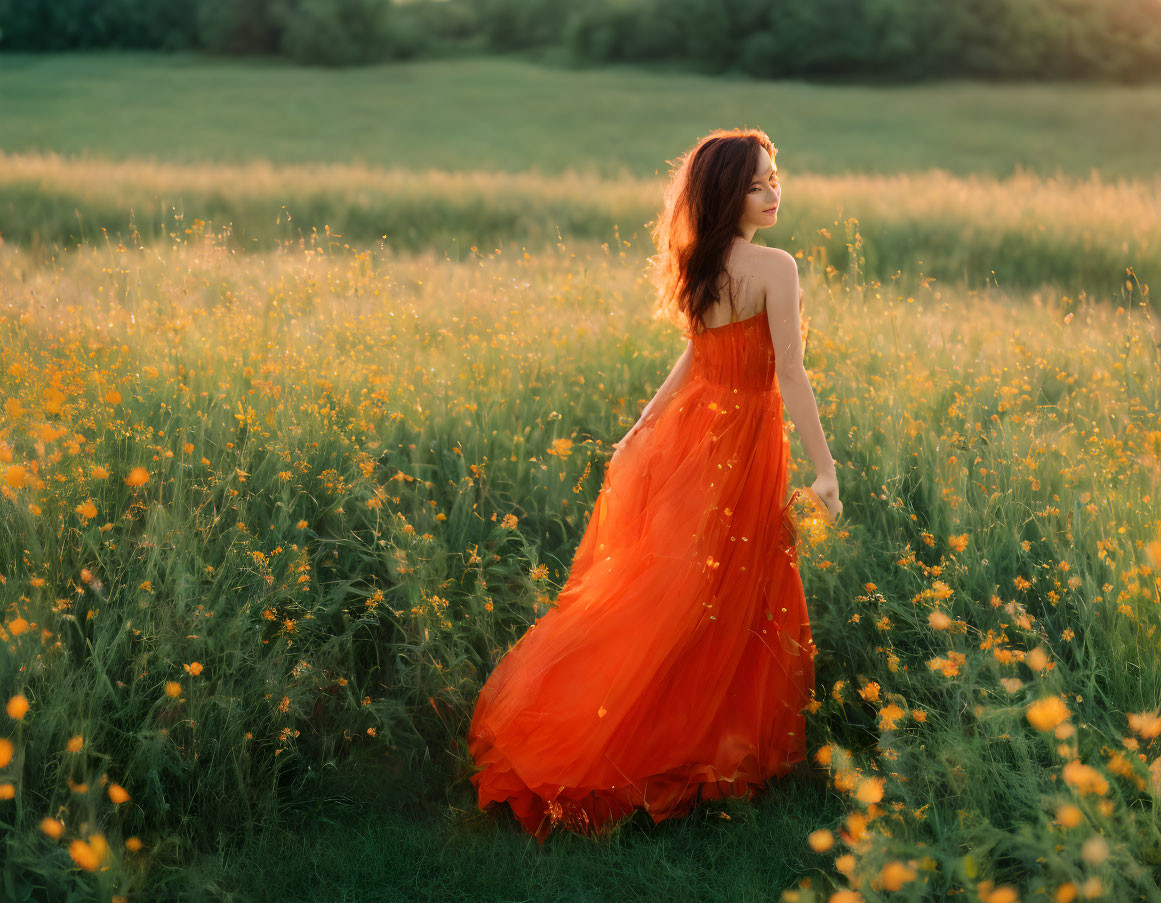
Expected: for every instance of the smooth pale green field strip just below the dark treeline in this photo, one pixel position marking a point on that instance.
(495, 114)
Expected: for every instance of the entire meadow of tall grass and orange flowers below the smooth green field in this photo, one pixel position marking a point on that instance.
(271, 518)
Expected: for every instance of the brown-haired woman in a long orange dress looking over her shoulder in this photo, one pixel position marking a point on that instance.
(677, 660)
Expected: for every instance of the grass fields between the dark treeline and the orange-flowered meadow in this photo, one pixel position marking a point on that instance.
(947, 182)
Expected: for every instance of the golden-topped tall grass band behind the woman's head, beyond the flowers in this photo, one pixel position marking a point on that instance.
(1077, 235)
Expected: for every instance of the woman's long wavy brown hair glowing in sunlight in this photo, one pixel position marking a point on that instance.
(704, 201)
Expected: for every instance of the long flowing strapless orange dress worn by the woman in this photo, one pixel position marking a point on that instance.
(677, 660)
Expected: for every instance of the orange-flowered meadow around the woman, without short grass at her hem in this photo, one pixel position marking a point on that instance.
(272, 518)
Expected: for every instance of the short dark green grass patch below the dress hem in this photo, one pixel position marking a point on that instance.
(360, 848)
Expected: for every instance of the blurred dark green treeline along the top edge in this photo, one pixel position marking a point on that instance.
(890, 40)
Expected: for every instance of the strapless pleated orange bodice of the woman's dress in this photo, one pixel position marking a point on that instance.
(739, 355)
